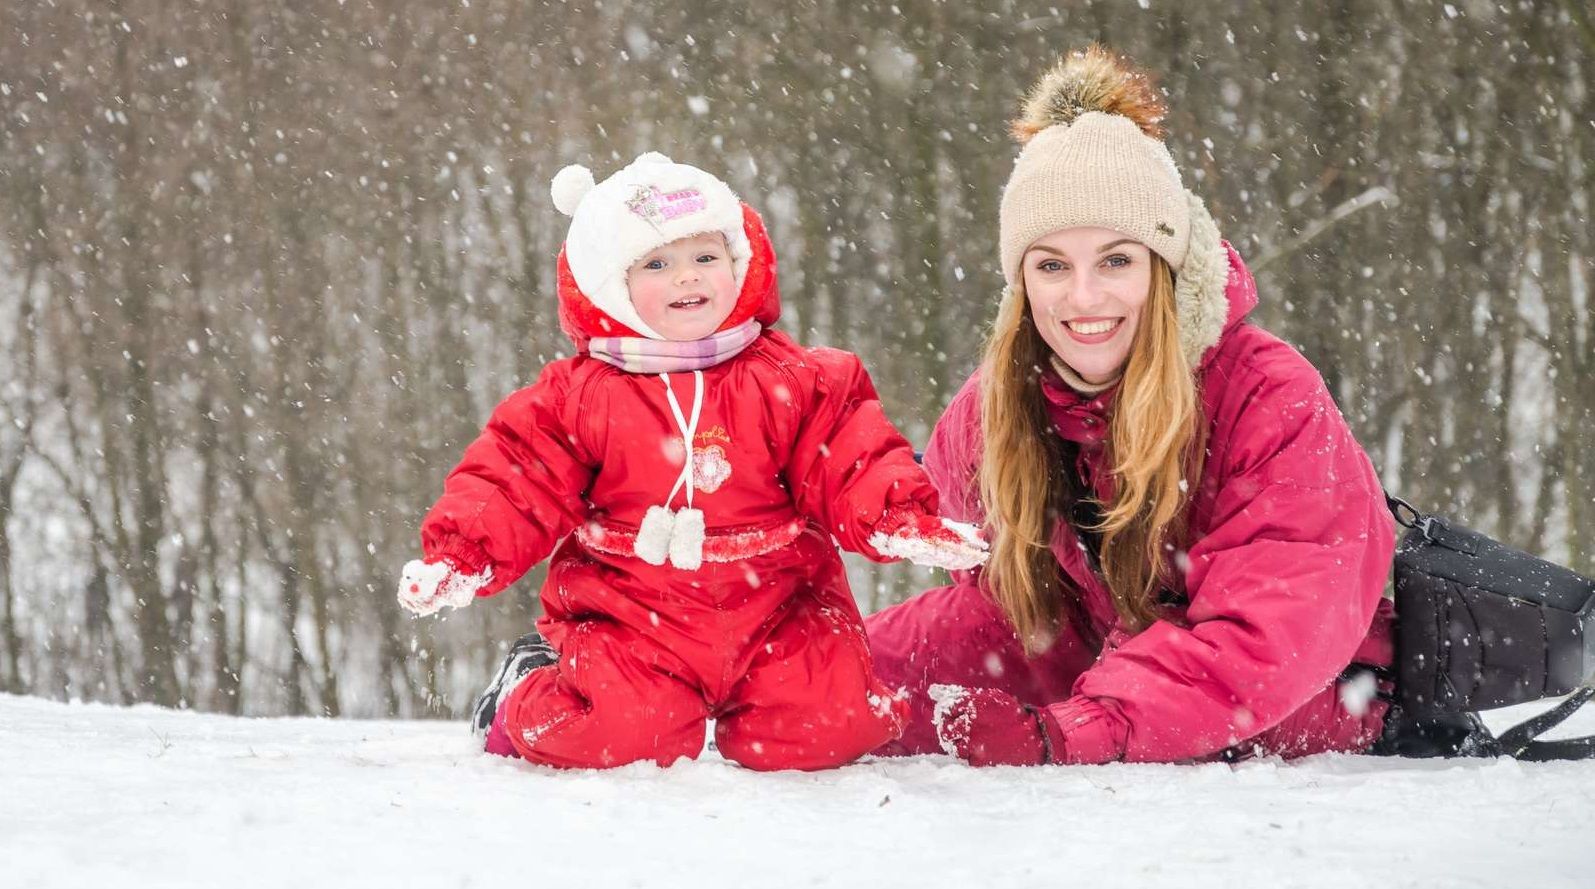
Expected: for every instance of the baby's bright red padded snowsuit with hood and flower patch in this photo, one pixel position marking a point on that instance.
(792, 451)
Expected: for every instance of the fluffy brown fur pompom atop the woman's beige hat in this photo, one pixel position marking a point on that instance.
(1092, 81)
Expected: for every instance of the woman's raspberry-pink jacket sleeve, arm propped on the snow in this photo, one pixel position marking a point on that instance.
(1283, 588)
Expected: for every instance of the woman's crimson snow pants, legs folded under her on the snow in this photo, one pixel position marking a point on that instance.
(958, 636)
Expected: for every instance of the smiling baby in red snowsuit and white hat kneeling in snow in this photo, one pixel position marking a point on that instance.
(696, 470)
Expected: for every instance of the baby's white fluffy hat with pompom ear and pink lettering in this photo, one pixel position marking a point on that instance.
(644, 207)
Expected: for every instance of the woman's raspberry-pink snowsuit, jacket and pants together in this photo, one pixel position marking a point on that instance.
(1291, 550)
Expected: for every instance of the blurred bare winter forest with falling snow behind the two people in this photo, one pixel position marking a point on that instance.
(266, 267)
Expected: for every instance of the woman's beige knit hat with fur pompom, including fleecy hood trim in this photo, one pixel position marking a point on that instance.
(1095, 156)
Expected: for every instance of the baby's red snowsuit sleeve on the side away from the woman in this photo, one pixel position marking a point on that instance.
(519, 488)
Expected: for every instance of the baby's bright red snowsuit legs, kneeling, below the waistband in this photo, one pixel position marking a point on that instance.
(771, 649)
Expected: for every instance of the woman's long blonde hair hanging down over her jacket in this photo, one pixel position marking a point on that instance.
(1156, 454)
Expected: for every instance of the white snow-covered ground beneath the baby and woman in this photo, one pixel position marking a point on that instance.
(96, 796)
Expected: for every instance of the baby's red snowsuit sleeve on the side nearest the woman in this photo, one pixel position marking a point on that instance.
(851, 465)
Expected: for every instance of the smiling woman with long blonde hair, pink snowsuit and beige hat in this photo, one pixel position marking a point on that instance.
(1189, 548)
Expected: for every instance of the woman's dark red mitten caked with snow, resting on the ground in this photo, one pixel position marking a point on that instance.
(988, 727)
